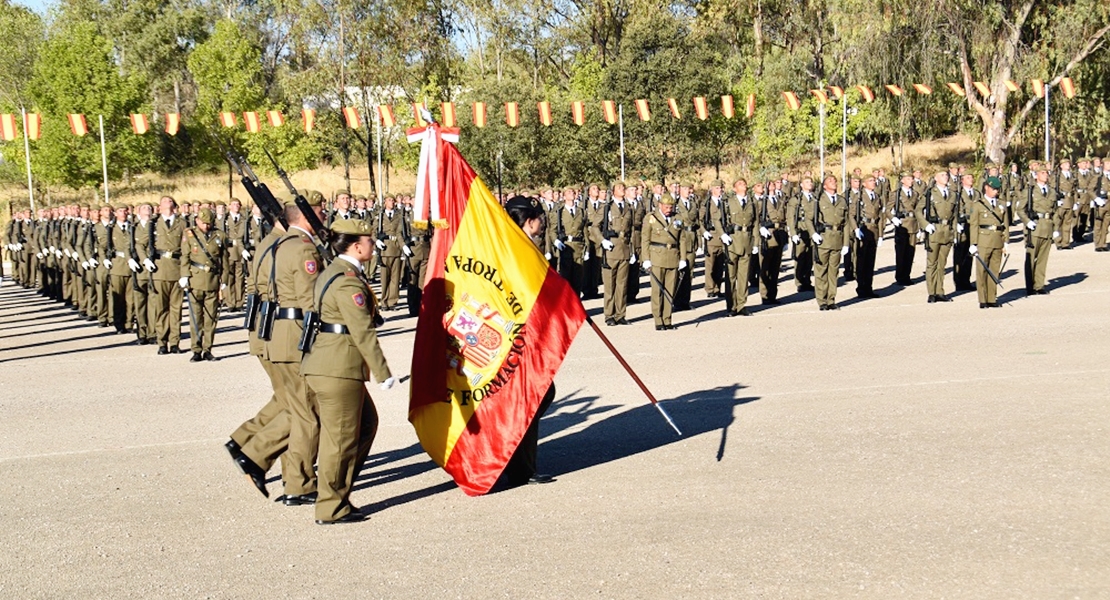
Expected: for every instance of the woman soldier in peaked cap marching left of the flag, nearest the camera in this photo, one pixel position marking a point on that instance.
(338, 365)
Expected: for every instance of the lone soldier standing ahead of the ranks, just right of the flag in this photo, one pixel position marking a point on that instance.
(663, 246)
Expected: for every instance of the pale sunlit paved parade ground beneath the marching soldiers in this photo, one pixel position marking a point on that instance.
(891, 450)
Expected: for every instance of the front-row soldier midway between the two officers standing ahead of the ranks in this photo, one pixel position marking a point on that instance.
(829, 230)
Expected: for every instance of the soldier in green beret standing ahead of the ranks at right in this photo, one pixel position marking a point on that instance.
(990, 237)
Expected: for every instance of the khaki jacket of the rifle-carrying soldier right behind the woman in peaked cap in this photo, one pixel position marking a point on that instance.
(297, 266)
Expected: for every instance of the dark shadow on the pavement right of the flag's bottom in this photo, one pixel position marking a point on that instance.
(633, 432)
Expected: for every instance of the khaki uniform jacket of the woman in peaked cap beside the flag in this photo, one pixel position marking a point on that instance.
(348, 302)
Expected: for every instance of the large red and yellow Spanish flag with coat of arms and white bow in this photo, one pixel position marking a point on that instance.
(495, 327)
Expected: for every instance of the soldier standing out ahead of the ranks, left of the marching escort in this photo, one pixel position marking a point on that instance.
(201, 262)
